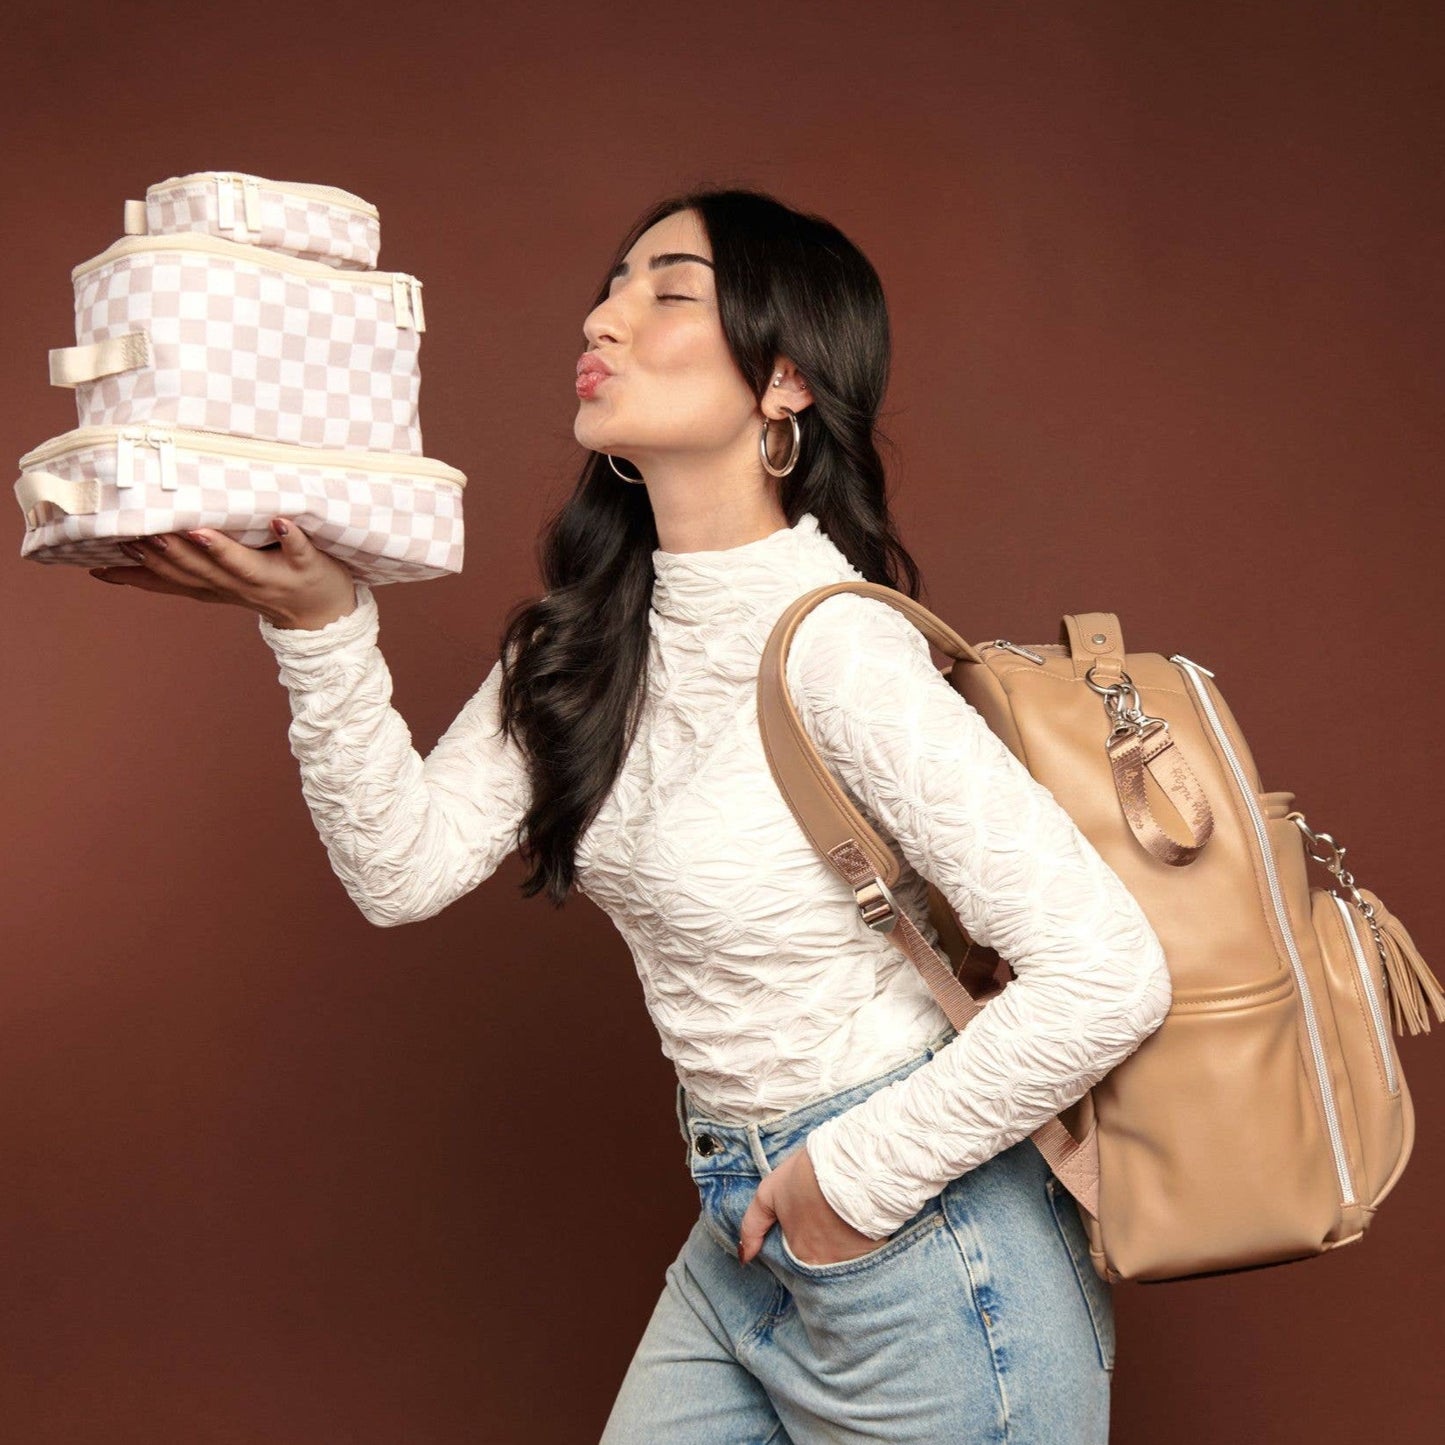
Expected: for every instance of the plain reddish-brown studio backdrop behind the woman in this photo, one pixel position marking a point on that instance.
(1168, 327)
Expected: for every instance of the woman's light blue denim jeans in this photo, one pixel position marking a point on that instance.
(979, 1320)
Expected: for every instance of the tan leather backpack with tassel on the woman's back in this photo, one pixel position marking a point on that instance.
(1268, 1118)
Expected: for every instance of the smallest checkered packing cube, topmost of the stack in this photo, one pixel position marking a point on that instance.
(316, 222)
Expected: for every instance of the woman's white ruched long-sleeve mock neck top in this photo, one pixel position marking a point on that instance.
(767, 988)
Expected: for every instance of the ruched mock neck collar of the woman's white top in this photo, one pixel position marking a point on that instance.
(758, 577)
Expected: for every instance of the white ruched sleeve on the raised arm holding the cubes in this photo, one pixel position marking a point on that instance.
(407, 836)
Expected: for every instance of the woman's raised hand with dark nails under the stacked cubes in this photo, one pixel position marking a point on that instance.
(294, 585)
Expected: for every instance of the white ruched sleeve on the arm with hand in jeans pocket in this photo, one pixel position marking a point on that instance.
(1092, 982)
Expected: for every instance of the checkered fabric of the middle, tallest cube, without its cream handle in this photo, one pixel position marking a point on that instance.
(251, 349)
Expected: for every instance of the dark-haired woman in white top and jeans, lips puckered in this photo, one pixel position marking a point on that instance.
(882, 1254)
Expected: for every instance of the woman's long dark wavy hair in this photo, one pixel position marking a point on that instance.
(574, 661)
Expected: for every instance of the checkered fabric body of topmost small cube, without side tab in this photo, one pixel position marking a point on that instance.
(291, 223)
